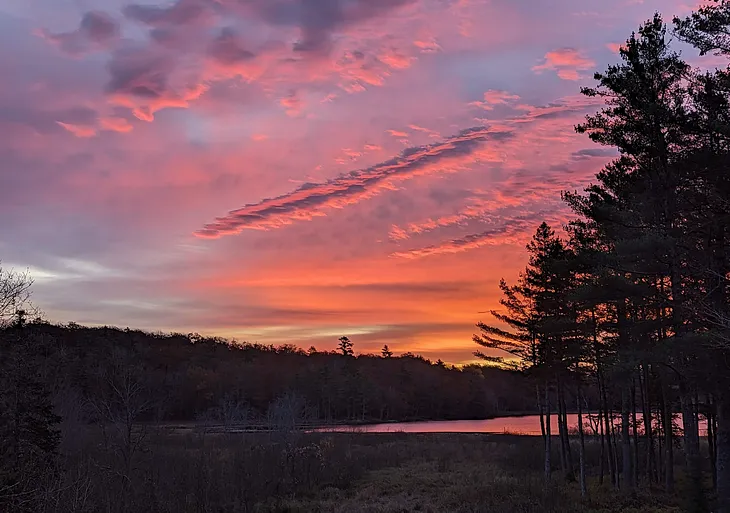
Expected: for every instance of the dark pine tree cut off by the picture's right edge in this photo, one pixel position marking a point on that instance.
(708, 29)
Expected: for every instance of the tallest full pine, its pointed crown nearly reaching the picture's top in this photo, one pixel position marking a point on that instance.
(637, 204)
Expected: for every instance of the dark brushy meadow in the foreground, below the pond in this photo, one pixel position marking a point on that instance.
(335, 472)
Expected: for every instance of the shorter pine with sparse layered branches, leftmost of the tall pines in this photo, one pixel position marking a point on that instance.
(541, 332)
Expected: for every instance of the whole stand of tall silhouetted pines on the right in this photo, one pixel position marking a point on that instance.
(632, 297)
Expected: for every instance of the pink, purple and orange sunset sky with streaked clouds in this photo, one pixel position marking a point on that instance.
(292, 171)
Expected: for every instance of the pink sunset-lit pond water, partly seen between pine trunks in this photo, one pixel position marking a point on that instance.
(525, 425)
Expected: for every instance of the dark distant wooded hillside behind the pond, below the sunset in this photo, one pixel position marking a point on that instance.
(188, 377)
